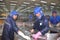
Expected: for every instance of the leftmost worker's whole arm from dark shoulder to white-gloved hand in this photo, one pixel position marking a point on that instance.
(16, 29)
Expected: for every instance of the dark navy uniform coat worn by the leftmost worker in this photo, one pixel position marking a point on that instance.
(9, 28)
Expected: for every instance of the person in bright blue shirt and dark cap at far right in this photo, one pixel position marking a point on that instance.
(54, 19)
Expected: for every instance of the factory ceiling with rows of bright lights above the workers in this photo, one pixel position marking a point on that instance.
(28, 5)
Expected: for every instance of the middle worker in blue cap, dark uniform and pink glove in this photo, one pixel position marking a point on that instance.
(41, 25)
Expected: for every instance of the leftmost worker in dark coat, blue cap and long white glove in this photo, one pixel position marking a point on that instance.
(10, 27)
